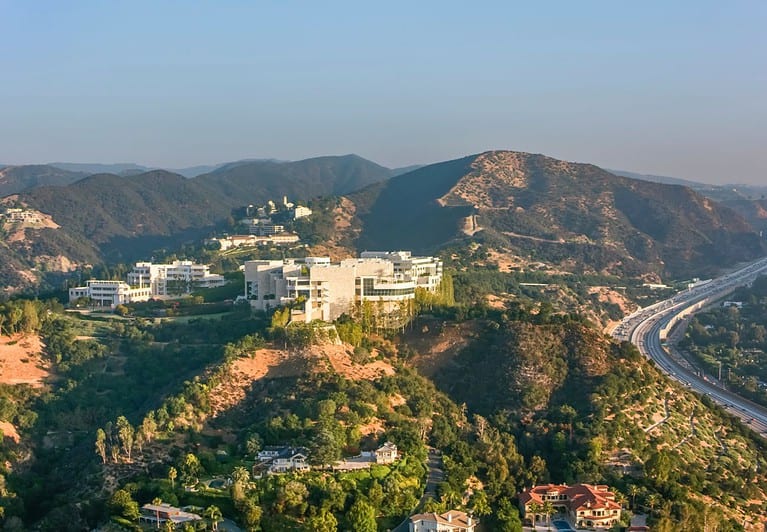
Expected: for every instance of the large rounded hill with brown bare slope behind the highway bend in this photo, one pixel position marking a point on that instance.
(574, 215)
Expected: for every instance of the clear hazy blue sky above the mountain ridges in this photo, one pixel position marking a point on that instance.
(668, 87)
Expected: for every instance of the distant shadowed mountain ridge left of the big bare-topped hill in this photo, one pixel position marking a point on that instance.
(108, 218)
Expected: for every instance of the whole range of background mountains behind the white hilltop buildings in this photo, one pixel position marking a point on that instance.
(564, 213)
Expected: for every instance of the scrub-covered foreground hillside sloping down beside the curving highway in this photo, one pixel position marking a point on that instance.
(590, 408)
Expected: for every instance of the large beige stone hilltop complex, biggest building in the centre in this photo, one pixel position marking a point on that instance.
(321, 290)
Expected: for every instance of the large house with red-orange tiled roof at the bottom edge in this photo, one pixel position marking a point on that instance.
(584, 505)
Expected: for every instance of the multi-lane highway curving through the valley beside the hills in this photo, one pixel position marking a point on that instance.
(647, 329)
